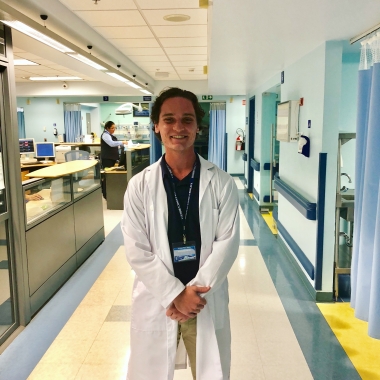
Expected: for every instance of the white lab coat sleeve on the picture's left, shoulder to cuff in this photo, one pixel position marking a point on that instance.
(148, 266)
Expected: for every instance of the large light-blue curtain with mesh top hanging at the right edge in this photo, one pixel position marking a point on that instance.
(365, 268)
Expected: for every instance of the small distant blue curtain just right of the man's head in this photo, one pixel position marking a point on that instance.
(217, 153)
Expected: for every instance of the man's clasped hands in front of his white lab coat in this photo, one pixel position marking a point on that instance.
(188, 303)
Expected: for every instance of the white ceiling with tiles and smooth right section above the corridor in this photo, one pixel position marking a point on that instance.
(243, 42)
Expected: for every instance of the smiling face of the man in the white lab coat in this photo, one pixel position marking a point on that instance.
(177, 124)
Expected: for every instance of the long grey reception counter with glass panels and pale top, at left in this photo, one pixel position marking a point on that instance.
(63, 223)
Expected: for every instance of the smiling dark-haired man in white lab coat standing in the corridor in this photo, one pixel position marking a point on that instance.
(181, 235)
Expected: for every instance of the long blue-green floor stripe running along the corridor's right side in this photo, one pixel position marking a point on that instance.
(325, 356)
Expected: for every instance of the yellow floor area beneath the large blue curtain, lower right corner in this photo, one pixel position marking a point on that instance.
(352, 333)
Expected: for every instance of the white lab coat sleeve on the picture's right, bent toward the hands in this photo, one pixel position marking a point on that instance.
(226, 242)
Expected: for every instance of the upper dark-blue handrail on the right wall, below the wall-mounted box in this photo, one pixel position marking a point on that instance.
(306, 208)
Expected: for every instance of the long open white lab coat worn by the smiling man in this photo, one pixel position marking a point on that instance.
(144, 225)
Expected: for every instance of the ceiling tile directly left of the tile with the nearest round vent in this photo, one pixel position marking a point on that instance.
(111, 18)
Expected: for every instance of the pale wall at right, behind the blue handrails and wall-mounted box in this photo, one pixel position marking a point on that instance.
(316, 77)
